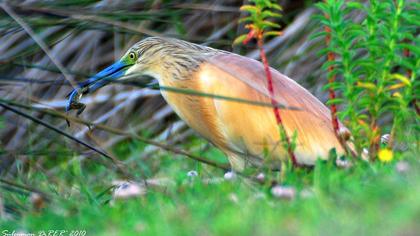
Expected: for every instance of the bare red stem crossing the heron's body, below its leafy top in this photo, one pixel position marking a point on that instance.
(273, 101)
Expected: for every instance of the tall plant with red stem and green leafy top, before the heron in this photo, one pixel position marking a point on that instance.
(260, 26)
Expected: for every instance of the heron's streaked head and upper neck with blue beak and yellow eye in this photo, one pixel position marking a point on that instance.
(161, 58)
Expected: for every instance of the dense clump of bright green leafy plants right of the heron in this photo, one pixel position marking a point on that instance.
(372, 65)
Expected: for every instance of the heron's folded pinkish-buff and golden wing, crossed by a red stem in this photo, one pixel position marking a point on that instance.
(248, 129)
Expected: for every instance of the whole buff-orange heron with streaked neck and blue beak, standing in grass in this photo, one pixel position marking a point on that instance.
(245, 132)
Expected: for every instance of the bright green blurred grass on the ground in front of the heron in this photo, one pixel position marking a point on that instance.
(366, 199)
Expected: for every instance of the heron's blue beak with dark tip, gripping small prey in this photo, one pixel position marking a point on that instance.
(109, 74)
